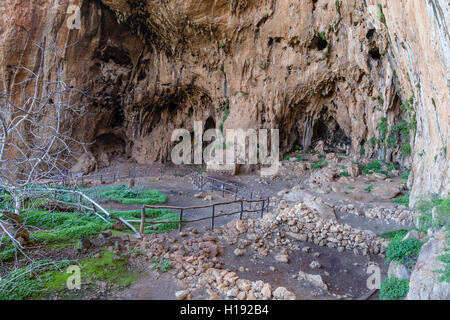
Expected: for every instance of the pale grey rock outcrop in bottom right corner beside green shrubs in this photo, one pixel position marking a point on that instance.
(424, 282)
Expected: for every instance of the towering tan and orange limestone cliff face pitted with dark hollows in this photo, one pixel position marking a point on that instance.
(337, 71)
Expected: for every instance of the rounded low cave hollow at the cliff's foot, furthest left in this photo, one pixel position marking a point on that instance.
(107, 148)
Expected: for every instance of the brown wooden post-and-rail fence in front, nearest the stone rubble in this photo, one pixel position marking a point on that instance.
(260, 206)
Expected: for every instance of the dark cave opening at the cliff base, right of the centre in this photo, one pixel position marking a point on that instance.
(327, 129)
